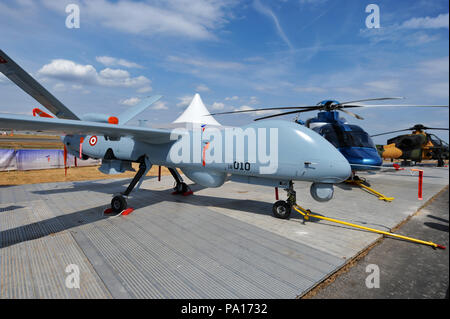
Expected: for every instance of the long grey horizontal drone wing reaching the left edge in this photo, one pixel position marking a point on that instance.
(68, 127)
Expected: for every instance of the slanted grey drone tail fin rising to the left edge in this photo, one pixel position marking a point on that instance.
(23, 80)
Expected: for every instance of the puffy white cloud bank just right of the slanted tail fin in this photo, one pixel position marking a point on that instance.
(67, 70)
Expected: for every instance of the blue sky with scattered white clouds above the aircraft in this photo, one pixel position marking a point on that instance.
(236, 54)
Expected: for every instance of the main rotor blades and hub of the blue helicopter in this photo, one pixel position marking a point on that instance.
(326, 106)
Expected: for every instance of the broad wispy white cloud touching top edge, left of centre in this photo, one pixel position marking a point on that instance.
(196, 19)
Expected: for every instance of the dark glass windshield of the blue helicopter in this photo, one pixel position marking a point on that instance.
(339, 137)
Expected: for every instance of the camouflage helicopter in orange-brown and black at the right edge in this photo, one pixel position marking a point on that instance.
(417, 146)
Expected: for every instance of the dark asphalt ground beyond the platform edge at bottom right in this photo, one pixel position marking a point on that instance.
(406, 271)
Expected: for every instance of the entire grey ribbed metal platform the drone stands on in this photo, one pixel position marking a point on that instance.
(219, 243)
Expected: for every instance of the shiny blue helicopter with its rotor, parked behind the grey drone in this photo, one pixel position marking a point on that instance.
(351, 140)
